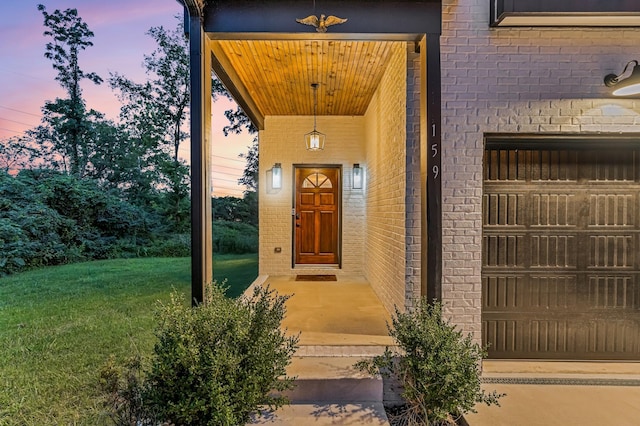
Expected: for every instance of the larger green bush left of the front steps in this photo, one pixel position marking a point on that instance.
(214, 364)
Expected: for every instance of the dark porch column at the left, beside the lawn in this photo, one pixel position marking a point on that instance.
(201, 238)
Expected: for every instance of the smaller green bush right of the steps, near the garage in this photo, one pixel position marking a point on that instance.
(437, 366)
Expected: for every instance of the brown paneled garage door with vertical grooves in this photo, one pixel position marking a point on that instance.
(561, 252)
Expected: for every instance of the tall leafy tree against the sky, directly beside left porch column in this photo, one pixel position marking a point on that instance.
(155, 112)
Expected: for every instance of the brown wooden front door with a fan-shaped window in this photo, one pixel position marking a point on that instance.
(317, 224)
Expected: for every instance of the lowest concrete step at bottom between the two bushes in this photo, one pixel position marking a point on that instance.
(323, 414)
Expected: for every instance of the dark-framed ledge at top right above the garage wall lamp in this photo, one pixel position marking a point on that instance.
(565, 13)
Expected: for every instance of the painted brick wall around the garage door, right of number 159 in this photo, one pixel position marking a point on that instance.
(513, 80)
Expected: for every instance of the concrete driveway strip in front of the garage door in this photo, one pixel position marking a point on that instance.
(561, 393)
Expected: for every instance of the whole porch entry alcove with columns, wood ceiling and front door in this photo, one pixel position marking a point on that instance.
(377, 74)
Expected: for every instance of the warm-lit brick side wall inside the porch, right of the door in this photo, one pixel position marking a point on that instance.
(385, 131)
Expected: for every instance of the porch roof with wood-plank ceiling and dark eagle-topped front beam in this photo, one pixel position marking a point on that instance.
(268, 61)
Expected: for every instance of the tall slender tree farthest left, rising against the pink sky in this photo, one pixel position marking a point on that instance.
(64, 134)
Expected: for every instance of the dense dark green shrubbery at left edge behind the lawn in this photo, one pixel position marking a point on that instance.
(49, 218)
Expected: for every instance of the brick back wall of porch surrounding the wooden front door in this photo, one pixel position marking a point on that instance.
(282, 141)
